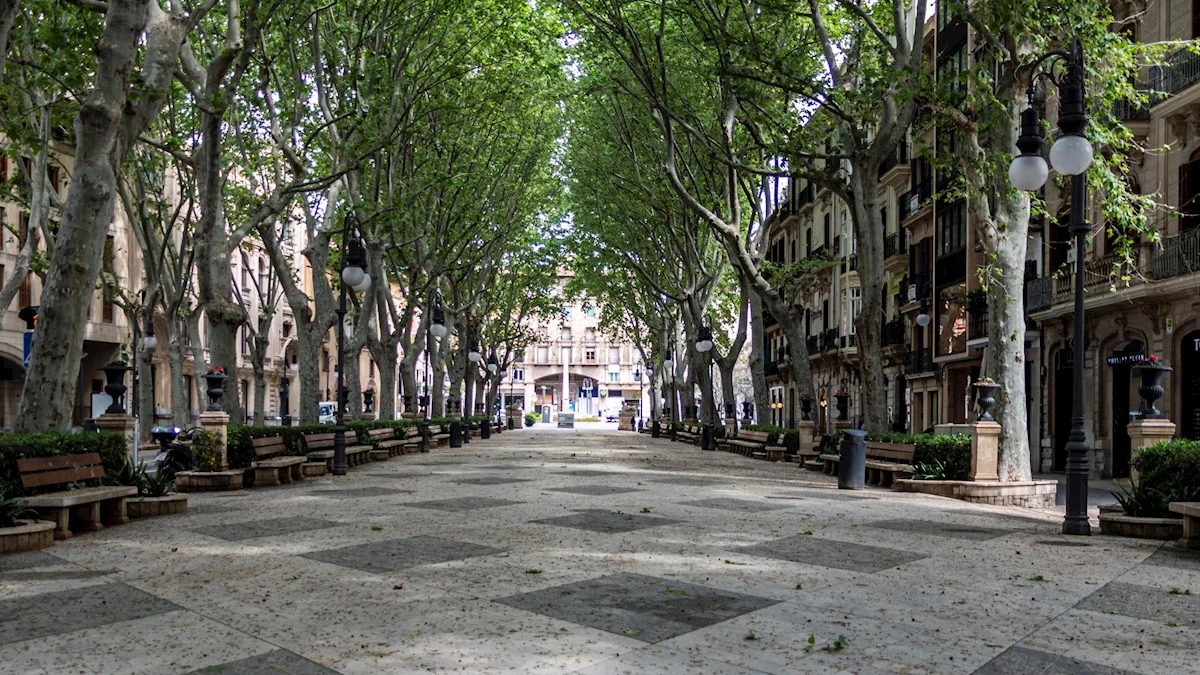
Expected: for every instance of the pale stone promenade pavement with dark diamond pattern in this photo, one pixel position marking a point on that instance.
(596, 553)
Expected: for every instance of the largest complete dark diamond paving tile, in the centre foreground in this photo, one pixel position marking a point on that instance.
(645, 608)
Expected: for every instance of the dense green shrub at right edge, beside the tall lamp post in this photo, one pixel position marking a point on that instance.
(1167, 473)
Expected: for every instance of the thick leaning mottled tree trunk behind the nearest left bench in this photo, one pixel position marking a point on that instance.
(50, 392)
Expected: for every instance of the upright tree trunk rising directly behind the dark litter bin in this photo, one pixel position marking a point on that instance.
(869, 240)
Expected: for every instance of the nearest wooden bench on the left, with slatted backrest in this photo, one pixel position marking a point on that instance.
(91, 507)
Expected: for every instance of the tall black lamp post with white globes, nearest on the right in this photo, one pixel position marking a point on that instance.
(1071, 156)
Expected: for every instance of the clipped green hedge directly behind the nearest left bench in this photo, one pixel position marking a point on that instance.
(113, 451)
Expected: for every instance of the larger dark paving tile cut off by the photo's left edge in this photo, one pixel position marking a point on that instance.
(64, 612)
